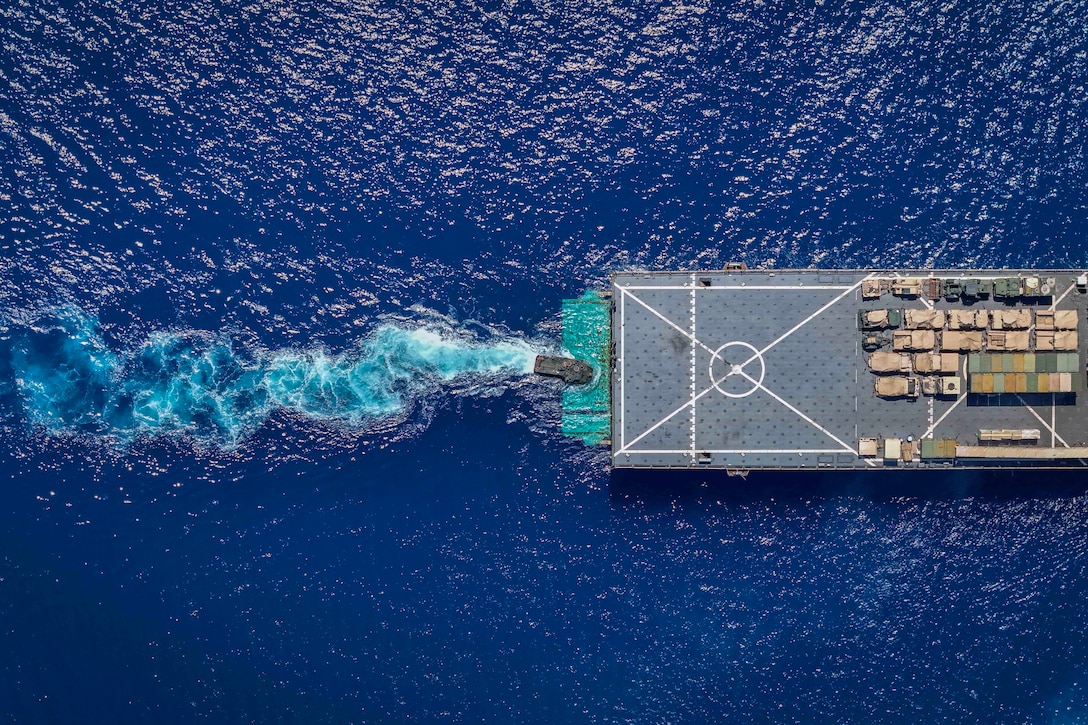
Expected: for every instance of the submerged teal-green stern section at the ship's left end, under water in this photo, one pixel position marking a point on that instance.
(587, 336)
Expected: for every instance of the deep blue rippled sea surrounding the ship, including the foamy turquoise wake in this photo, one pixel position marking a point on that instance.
(273, 276)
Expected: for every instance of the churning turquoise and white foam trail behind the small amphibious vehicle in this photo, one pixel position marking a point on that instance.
(213, 387)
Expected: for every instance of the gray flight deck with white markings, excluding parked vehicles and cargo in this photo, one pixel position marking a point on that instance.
(760, 370)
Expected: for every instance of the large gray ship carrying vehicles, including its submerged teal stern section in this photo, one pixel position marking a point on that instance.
(745, 370)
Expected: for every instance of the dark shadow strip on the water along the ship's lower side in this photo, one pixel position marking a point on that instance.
(673, 486)
